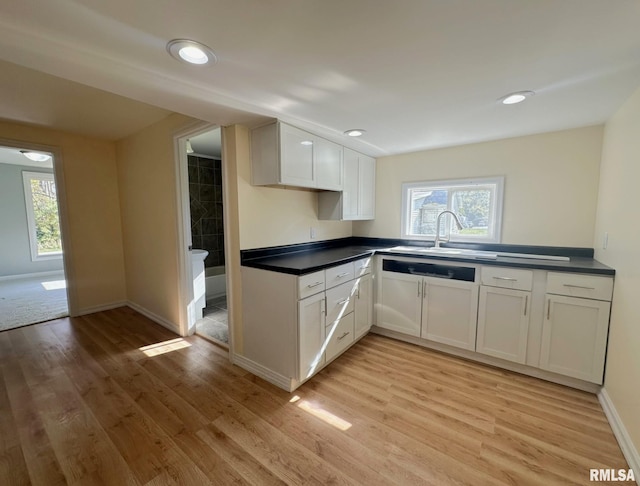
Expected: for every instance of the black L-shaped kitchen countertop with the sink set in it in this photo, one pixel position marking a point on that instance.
(307, 258)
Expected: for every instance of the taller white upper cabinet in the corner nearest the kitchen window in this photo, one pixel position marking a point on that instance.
(357, 199)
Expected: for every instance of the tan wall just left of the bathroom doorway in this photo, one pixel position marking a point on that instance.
(148, 199)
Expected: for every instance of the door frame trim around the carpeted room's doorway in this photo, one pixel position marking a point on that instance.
(61, 195)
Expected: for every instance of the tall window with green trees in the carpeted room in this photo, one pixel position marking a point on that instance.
(42, 215)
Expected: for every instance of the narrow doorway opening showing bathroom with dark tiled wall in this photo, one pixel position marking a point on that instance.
(205, 166)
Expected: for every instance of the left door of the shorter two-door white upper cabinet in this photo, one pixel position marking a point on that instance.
(296, 157)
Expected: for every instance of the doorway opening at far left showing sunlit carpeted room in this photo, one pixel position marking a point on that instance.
(33, 285)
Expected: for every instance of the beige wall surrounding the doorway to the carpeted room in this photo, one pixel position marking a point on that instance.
(95, 256)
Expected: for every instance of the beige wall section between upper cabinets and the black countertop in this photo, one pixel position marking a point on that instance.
(271, 216)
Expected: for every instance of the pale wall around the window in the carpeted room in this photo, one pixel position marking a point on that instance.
(15, 253)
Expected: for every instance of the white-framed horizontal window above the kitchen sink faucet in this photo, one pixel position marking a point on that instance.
(476, 202)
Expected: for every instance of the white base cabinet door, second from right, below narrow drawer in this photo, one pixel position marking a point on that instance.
(503, 323)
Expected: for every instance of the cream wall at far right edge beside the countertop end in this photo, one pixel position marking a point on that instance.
(618, 203)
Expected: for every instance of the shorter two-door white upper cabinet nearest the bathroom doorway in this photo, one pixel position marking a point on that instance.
(285, 155)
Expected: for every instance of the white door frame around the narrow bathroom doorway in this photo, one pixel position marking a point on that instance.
(187, 309)
